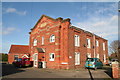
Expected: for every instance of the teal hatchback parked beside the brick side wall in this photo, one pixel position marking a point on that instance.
(93, 63)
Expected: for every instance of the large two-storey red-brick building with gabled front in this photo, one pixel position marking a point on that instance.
(59, 45)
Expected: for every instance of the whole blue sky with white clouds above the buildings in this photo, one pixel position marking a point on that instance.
(18, 18)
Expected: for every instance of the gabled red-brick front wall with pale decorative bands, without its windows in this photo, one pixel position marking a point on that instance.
(38, 32)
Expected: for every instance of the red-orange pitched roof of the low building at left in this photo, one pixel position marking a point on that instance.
(23, 49)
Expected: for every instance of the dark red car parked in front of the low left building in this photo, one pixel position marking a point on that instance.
(22, 62)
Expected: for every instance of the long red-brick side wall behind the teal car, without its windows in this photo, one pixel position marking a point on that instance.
(83, 50)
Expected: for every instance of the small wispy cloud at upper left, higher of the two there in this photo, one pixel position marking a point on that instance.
(13, 10)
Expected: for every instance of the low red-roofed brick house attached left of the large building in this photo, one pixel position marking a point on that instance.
(18, 51)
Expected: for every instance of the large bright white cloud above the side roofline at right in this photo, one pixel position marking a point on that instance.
(104, 27)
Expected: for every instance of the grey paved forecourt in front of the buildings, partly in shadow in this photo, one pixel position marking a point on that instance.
(9, 71)
